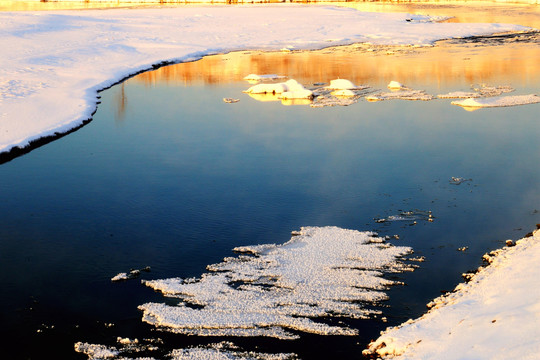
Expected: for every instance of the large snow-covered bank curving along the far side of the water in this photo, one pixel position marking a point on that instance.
(58, 61)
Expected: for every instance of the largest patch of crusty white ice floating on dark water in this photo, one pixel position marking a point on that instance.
(271, 289)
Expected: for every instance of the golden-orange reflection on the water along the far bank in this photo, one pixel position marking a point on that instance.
(445, 67)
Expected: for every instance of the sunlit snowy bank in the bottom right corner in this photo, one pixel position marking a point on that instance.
(494, 316)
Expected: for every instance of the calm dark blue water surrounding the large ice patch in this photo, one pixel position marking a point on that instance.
(178, 178)
